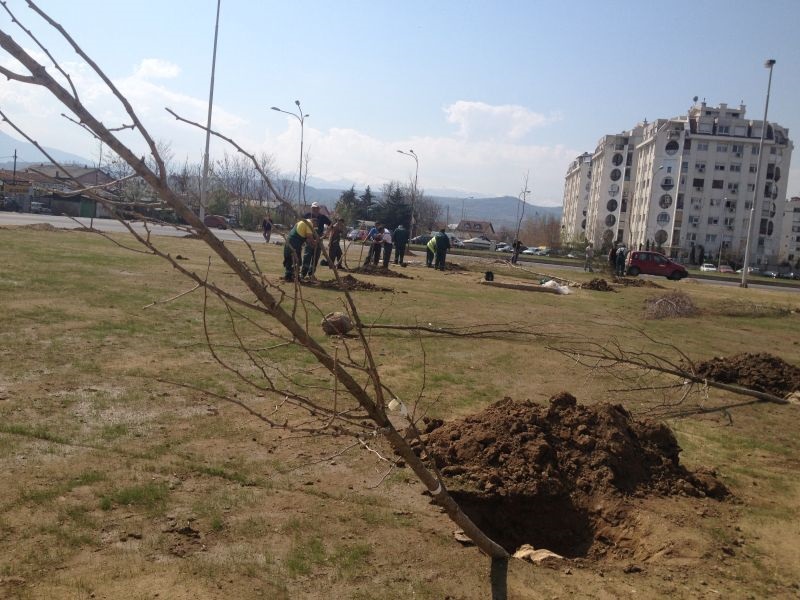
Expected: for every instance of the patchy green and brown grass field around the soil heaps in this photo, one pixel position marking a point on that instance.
(124, 475)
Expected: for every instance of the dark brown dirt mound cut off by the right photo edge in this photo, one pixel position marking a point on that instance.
(761, 372)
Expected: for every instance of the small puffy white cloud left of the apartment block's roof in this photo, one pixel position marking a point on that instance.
(478, 120)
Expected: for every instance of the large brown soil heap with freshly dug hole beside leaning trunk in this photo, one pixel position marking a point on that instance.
(560, 477)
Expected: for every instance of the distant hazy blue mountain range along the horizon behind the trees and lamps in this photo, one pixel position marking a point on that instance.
(501, 211)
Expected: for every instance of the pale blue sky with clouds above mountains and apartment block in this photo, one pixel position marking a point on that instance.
(485, 93)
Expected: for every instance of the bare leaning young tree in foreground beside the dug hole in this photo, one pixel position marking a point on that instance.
(354, 402)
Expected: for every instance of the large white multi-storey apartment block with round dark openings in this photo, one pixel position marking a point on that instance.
(686, 185)
